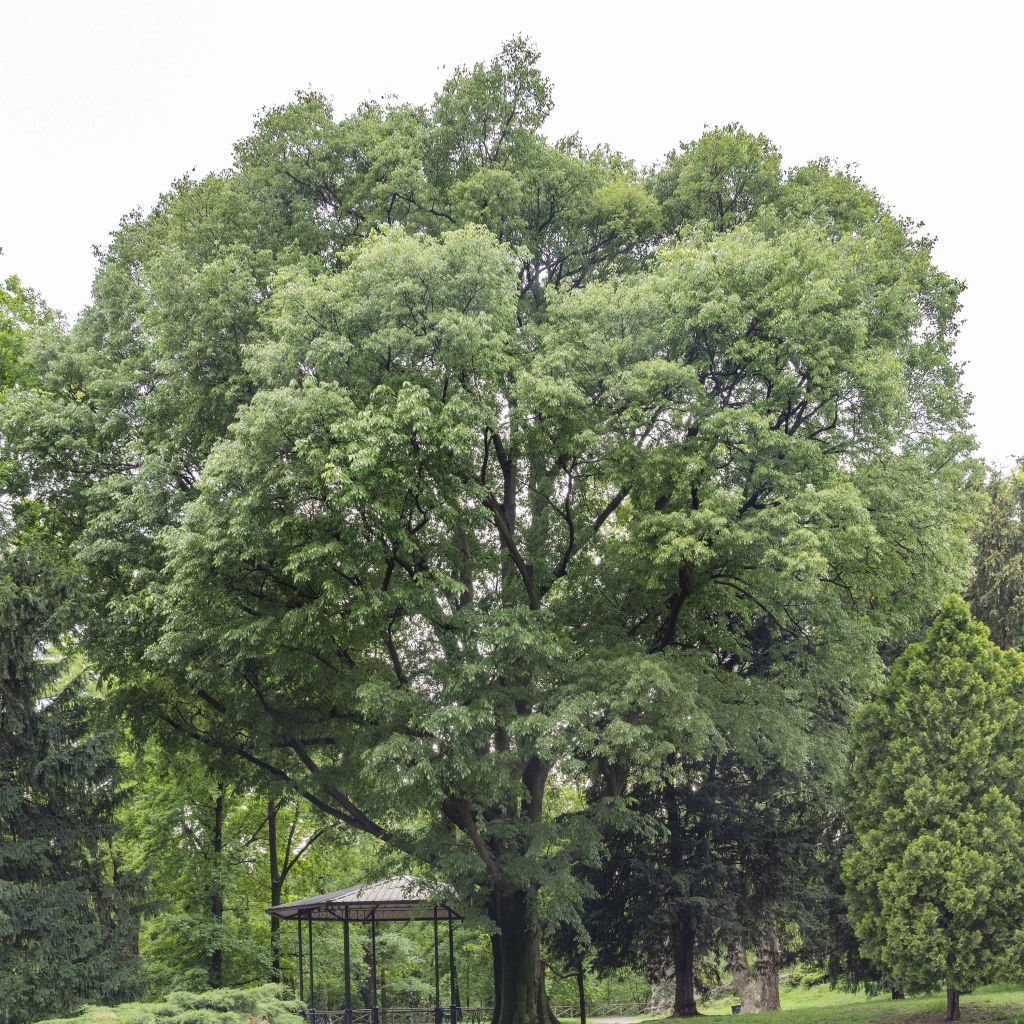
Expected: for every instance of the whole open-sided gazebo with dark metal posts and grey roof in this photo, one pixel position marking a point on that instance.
(403, 899)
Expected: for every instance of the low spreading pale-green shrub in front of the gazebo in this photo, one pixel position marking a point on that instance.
(264, 1005)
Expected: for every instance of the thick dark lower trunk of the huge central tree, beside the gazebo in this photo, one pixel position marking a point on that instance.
(520, 994)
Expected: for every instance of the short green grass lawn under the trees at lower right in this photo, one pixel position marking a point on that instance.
(826, 1006)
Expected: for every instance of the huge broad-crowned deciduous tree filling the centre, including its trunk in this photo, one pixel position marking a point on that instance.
(418, 461)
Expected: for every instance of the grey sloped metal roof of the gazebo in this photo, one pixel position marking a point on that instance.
(402, 899)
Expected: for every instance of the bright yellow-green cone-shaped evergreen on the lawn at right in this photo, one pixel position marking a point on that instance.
(935, 874)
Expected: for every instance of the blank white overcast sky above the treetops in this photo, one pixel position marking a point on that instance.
(103, 104)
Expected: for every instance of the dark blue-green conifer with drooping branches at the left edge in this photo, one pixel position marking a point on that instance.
(68, 928)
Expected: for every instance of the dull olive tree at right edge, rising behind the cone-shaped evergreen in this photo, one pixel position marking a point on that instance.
(997, 594)
